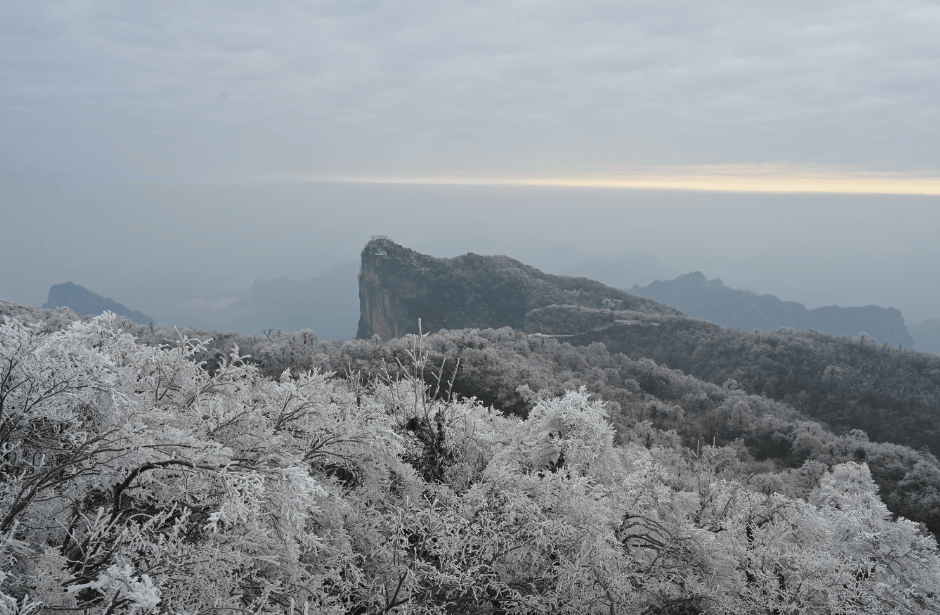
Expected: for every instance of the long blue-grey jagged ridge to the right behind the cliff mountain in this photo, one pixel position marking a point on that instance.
(742, 309)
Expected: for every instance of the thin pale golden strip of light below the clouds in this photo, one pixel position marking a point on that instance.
(711, 178)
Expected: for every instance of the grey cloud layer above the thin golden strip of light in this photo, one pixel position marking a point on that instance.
(241, 89)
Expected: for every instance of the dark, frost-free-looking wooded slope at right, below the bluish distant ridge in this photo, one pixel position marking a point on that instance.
(849, 383)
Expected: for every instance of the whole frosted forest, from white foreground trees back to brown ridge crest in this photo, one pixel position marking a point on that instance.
(471, 471)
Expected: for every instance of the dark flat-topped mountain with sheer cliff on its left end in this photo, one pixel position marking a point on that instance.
(397, 286)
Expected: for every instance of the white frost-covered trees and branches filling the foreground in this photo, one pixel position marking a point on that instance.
(134, 480)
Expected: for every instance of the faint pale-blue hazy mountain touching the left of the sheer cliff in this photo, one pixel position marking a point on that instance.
(327, 304)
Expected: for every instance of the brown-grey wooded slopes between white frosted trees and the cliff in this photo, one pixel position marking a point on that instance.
(510, 370)
